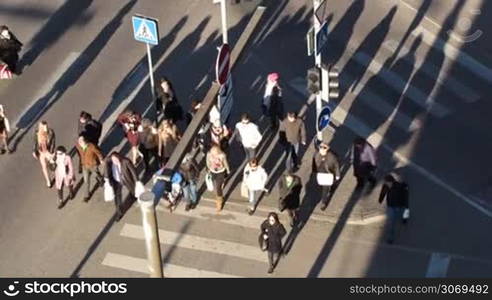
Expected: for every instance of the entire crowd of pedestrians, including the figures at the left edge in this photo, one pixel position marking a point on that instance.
(153, 145)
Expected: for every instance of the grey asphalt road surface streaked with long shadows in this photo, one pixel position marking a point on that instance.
(441, 149)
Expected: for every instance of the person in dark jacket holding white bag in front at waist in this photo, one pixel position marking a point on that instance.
(325, 162)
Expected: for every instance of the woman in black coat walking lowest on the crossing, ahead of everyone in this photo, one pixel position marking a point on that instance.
(272, 232)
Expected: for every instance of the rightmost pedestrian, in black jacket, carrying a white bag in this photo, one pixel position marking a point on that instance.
(396, 194)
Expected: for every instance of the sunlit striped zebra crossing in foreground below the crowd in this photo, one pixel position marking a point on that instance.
(228, 248)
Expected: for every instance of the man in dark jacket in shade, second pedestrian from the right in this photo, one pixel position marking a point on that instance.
(363, 157)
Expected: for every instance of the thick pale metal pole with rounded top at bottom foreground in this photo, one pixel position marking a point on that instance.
(152, 244)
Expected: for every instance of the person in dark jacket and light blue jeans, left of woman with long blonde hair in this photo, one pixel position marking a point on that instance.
(190, 172)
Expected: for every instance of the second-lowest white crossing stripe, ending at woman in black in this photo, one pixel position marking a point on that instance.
(195, 242)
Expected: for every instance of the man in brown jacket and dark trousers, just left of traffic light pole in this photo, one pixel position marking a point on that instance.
(292, 132)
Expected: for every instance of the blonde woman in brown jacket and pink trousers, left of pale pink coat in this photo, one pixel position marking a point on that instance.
(44, 146)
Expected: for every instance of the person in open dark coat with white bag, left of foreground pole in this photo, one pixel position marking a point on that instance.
(120, 171)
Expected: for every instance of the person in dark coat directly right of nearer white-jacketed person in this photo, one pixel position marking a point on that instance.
(289, 189)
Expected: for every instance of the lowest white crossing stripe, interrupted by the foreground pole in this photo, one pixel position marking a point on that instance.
(139, 265)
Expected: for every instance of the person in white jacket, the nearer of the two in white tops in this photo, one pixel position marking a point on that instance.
(255, 178)
